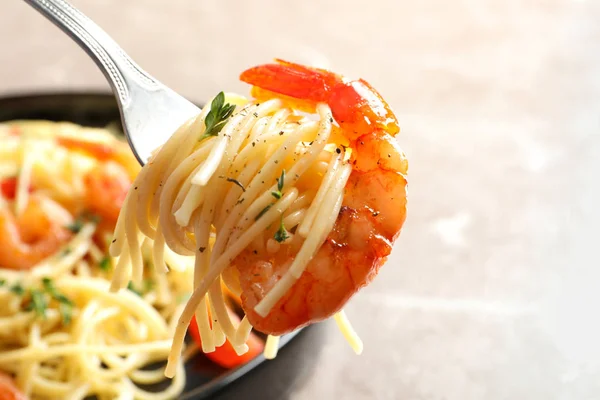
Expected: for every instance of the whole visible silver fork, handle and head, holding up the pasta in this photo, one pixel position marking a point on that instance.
(150, 111)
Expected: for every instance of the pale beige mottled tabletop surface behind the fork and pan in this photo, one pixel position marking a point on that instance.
(491, 292)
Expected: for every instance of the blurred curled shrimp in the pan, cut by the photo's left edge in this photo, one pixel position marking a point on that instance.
(32, 236)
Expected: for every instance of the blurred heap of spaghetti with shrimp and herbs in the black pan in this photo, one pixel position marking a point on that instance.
(62, 333)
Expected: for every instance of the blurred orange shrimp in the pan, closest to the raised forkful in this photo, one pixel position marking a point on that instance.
(106, 188)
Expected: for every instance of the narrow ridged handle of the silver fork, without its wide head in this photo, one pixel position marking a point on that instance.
(120, 71)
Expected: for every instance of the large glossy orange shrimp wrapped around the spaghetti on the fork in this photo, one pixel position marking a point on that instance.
(371, 216)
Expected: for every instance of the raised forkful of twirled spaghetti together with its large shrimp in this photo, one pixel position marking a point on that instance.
(260, 193)
